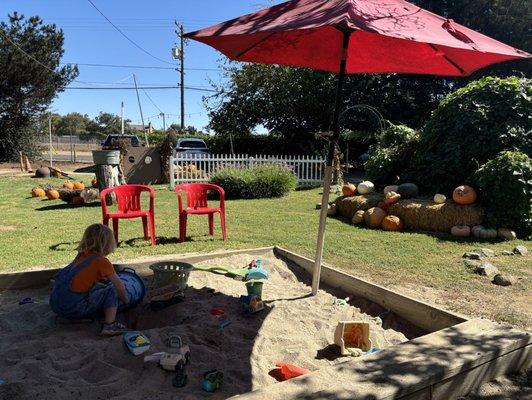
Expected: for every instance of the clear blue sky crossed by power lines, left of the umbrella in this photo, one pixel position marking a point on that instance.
(90, 39)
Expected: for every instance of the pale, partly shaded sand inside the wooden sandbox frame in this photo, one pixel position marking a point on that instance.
(44, 357)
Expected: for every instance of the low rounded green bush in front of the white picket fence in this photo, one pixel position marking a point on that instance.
(260, 181)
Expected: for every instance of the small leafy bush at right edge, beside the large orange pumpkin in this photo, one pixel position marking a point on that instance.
(505, 190)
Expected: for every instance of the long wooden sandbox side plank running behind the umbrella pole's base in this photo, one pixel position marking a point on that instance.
(424, 315)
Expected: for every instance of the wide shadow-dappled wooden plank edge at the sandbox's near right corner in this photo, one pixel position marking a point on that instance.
(411, 370)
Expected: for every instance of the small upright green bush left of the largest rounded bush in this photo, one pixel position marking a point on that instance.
(392, 155)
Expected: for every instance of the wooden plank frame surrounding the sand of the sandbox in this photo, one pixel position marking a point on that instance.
(455, 357)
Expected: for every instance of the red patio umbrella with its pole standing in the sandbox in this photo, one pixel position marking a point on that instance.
(354, 36)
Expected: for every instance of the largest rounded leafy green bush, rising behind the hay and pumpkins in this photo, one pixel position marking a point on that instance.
(470, 127)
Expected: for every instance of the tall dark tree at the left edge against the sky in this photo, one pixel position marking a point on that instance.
(30, 53)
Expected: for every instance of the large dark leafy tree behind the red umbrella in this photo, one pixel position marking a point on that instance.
(295, 103)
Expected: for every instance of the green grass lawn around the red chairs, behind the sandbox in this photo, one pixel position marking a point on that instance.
(37, 233)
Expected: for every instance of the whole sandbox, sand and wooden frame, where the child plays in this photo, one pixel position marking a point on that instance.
(426, 352)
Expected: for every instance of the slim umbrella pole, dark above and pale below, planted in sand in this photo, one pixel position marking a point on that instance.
(328, 167)
